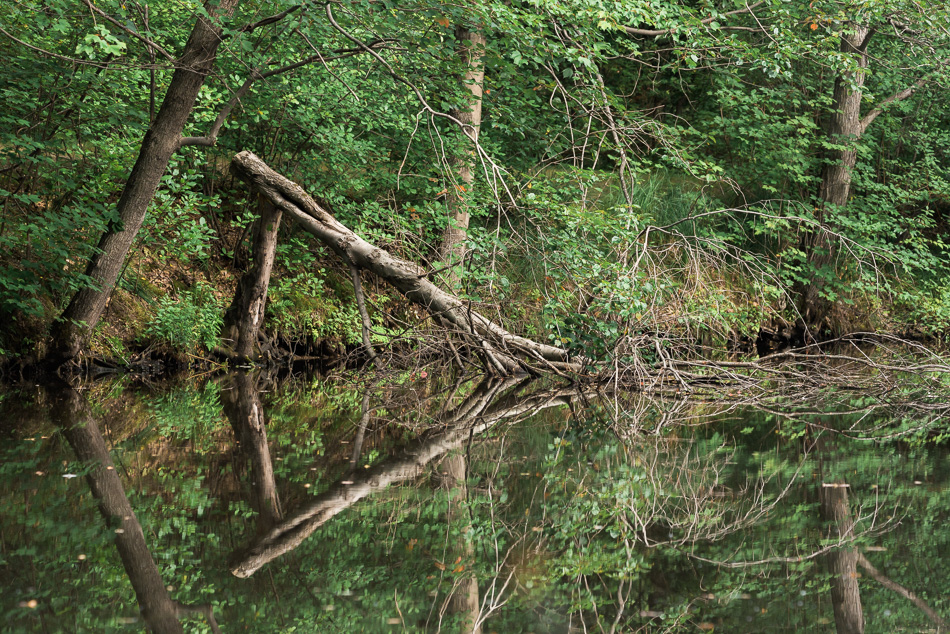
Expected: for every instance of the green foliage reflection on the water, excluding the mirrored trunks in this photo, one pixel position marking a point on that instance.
(704, 514)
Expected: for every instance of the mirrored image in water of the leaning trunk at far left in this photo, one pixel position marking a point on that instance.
(71, 412)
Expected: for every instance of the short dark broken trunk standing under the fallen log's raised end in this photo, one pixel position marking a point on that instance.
(244, 317)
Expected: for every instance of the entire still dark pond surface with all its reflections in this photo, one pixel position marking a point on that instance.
(415, 502)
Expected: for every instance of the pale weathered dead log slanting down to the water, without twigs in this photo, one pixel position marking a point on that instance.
(506, 353)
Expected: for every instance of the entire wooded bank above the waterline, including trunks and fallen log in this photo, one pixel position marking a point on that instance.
(532, 189)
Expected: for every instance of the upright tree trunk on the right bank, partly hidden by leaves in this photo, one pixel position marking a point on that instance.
(844, 129)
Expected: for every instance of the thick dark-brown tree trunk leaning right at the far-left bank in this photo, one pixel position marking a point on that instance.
(72, 330)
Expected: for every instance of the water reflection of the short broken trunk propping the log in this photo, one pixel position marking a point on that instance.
(242, 406)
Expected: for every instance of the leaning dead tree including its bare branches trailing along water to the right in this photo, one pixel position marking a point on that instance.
(663, 368)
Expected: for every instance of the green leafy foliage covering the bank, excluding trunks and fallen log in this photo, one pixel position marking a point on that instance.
(620, 192)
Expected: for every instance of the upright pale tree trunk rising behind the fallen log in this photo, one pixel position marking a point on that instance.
(471, 48)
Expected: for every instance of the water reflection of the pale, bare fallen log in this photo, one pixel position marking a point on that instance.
(483, 409)
